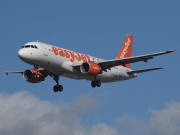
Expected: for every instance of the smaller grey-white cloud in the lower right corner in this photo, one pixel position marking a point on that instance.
(160, 122)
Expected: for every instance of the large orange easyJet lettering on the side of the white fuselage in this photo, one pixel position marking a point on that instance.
(72, 56)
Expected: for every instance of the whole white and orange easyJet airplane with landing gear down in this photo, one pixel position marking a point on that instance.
(53, 61)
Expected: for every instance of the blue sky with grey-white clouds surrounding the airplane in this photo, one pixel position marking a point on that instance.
(97, 28)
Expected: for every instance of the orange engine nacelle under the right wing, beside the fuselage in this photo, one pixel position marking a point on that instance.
(90, 68)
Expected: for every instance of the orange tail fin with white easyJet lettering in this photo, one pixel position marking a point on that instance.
(126, 49)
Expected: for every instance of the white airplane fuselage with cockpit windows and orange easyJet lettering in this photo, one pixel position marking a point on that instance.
(60, 61)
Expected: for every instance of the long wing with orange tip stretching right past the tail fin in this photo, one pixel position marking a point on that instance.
(107, 64)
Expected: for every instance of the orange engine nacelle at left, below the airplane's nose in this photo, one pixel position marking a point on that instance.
(33, 76)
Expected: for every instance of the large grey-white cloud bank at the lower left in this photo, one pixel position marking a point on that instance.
(22, 113)
